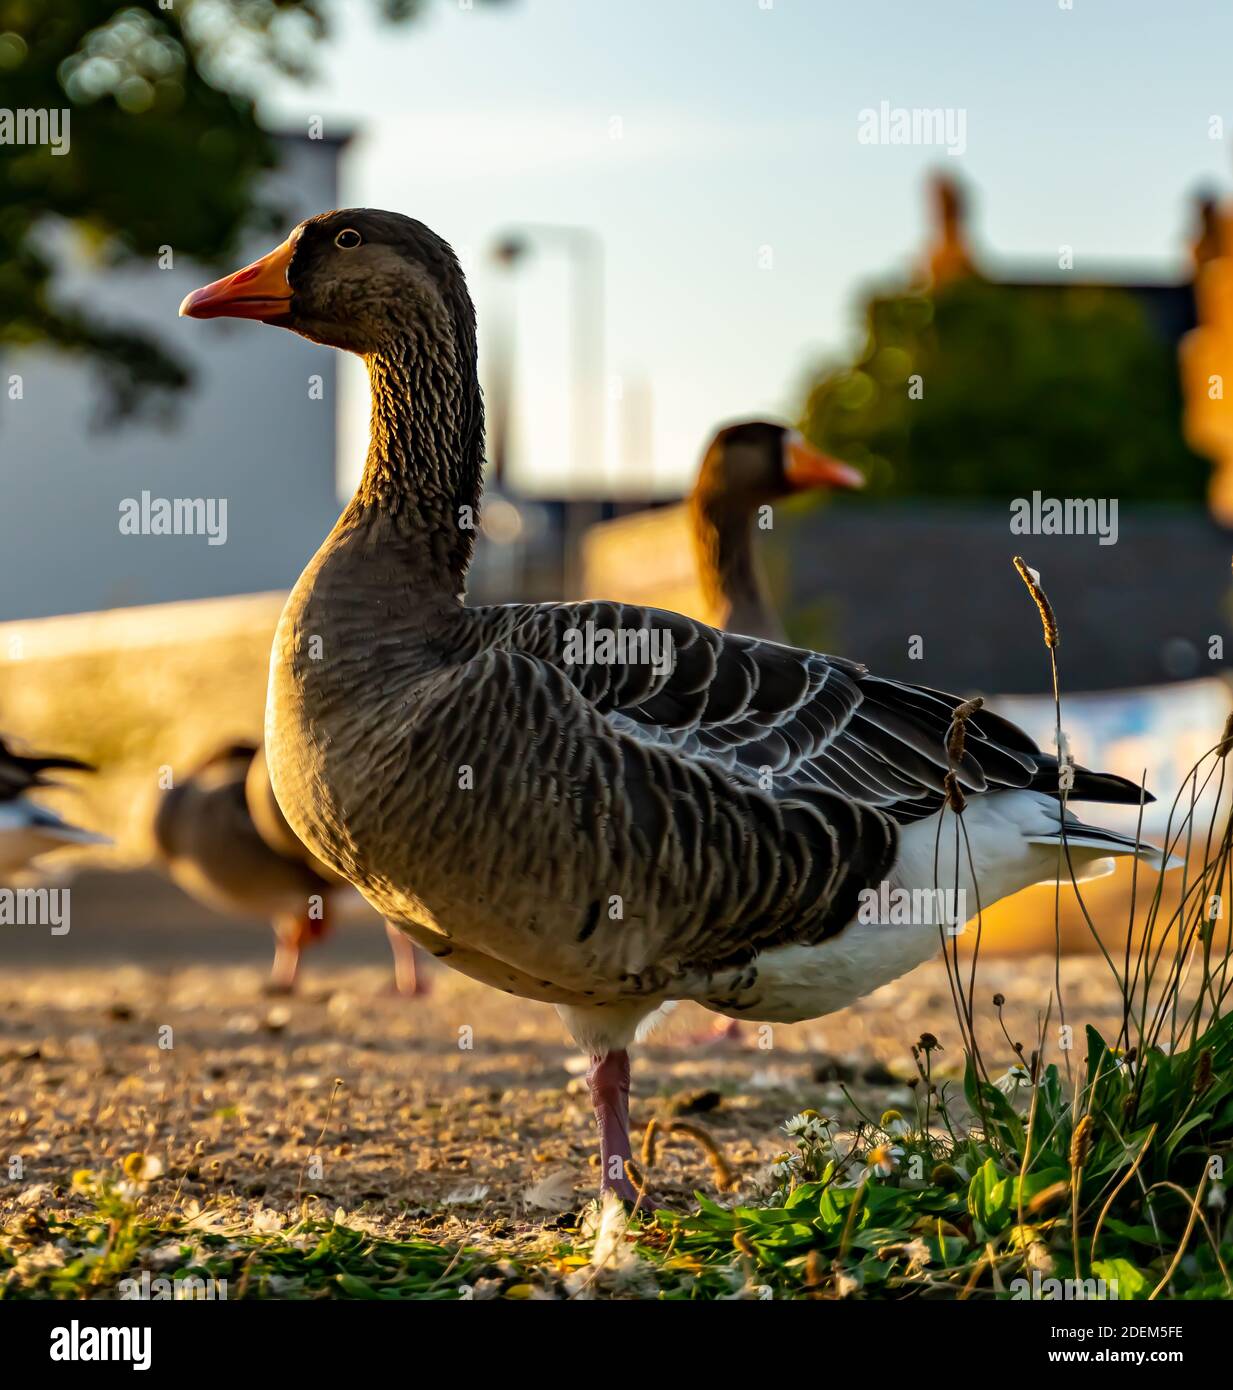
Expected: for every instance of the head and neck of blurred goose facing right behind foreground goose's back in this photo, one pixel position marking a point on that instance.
(749, 466)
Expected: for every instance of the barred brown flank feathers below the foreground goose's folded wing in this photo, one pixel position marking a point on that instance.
(708, 868)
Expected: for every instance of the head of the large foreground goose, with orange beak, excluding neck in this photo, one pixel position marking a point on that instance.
(357, 279)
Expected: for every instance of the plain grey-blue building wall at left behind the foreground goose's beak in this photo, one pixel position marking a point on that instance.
(245, 430)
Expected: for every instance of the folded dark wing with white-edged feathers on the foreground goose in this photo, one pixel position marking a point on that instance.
(782, 718)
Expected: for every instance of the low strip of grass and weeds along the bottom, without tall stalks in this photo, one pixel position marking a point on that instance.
(1109, 1185)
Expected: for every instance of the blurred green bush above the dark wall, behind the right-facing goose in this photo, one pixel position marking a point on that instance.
(1063, 389)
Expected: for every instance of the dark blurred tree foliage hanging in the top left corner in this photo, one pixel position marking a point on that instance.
(165, 151)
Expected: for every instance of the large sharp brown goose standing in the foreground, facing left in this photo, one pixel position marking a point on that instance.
(600, 807)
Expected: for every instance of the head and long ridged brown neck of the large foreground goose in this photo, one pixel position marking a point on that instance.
(390, 290)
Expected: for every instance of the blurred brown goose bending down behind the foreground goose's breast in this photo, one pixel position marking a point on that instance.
(223, 839)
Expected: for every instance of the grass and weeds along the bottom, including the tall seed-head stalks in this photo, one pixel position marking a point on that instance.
(1086, 1167)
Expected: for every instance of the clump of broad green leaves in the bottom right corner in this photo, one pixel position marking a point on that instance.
(893, 1239)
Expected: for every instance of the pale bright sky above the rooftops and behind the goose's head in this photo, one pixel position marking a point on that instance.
(694, 134)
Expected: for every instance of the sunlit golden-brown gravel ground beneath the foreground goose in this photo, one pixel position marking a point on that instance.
(423, 1114)
